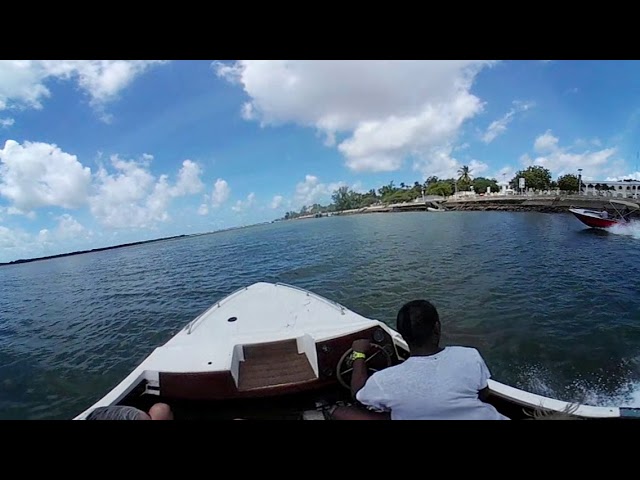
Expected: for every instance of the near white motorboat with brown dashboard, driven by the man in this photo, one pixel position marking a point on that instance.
(274, 351)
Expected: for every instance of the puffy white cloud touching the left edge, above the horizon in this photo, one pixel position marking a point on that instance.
(37, 174)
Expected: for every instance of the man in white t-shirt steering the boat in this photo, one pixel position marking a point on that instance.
(434, 383)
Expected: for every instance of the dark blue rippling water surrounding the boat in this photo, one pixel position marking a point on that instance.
(553, 307)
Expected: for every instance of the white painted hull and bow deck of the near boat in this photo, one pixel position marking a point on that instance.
(268, 312)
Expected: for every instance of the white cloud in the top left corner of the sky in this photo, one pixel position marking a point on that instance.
(22, 82)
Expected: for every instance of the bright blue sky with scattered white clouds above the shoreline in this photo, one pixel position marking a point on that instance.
(96, 153)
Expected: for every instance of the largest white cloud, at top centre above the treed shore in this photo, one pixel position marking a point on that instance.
(388, 110)
